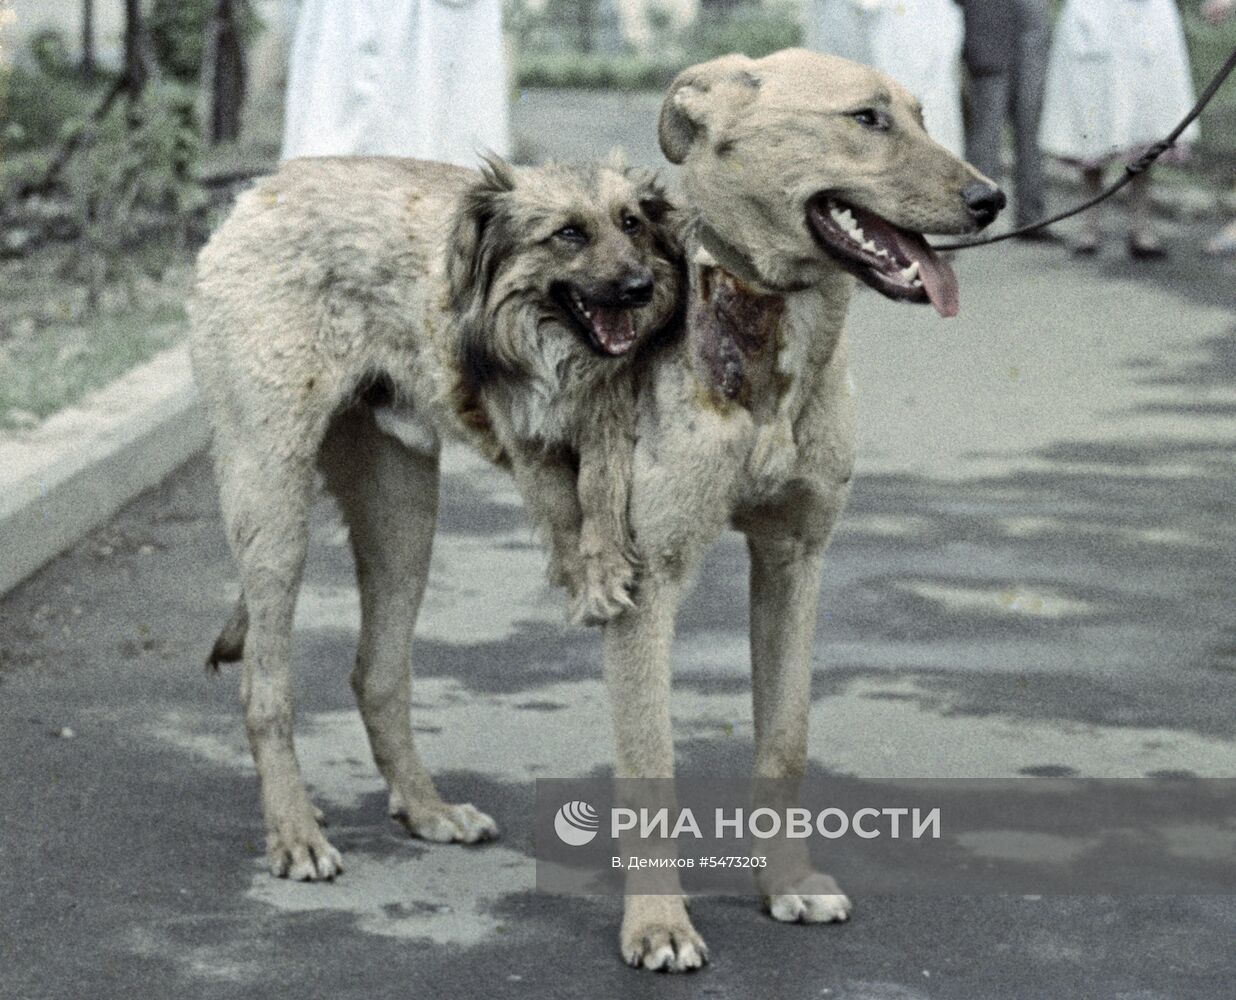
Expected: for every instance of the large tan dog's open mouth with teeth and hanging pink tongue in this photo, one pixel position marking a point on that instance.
(895, 263)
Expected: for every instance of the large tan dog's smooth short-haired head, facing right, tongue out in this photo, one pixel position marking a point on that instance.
(806, 163)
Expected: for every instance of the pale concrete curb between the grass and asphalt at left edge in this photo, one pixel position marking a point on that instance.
(74, 473)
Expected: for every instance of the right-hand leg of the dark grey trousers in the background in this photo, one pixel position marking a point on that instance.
(1026, 98)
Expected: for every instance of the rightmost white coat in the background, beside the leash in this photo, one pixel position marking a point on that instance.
(1118, 80)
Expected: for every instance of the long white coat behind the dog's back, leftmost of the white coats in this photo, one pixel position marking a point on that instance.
(421, 78)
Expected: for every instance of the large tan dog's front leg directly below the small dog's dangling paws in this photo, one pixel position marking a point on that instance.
(657, 933)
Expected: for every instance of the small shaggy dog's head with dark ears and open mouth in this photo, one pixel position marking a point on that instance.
(584, 256)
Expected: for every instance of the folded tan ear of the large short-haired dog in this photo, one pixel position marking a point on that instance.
(698, 96)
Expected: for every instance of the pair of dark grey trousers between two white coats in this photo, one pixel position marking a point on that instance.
(1010, 88)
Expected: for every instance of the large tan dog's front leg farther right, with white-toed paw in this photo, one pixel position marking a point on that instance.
(785, 594)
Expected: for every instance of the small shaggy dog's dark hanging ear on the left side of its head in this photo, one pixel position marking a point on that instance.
(473, 260)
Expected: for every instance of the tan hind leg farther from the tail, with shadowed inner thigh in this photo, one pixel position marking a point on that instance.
(389, 499)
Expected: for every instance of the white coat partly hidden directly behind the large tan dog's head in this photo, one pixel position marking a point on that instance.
(918, 43)
